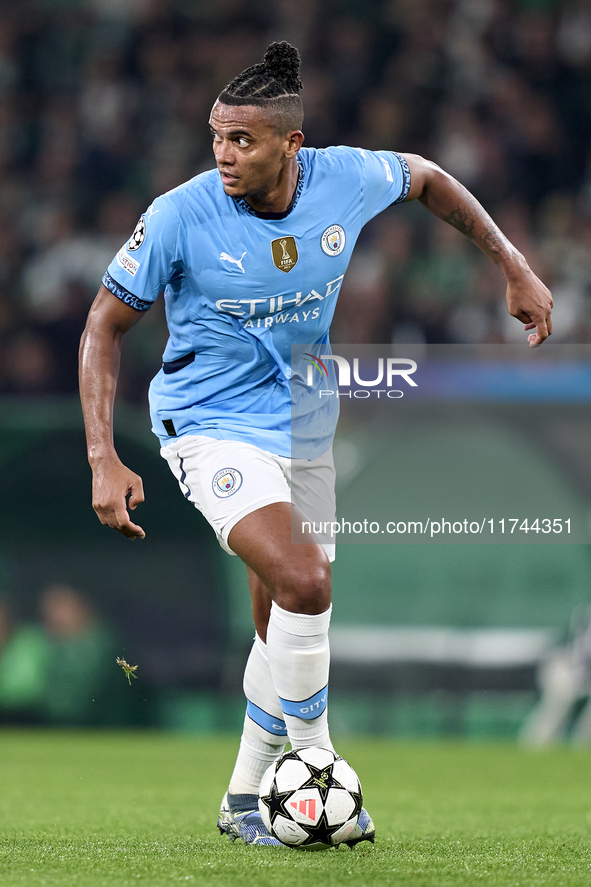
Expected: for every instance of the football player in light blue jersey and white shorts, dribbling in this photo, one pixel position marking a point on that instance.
(250, 257)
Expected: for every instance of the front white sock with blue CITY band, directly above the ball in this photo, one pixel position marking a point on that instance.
(299, 658)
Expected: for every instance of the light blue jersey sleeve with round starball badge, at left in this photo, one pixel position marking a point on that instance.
(149, 260)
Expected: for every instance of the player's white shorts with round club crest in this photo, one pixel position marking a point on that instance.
(228, 479)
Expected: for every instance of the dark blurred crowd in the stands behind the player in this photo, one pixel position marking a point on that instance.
(104, 105)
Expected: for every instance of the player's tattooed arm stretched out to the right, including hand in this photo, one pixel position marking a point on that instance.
(528, 298)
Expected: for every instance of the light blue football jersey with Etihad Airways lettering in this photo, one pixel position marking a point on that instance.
(241, 288)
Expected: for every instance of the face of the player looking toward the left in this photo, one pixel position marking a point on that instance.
(249, 152)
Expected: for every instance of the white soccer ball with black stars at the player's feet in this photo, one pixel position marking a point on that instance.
(310, 798)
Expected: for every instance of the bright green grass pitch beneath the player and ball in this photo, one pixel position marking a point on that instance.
(115, 809)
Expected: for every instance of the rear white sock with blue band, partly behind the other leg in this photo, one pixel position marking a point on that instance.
(264, 733)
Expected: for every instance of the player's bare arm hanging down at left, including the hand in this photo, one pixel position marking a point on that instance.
(100, 350)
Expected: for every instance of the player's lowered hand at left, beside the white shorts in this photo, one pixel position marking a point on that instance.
(112, 483)
